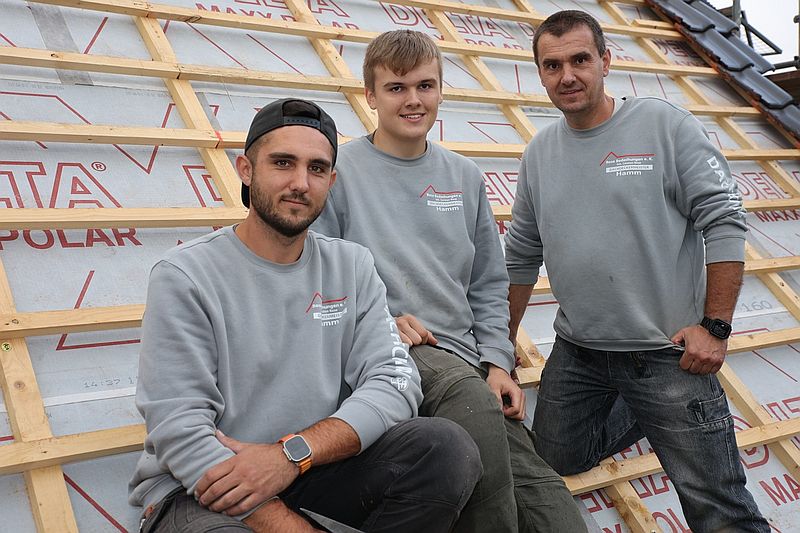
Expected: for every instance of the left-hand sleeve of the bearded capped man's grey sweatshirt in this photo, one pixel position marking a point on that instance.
(177, 392)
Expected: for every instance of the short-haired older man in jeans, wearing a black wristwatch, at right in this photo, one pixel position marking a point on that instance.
(641, 227)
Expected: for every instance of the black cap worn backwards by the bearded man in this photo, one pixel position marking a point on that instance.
(289, 112)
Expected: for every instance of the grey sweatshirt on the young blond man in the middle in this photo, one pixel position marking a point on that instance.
(428, 223)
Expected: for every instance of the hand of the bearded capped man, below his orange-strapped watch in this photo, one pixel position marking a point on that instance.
(256, 473)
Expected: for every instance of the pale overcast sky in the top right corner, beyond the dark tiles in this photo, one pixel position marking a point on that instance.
(773, 18)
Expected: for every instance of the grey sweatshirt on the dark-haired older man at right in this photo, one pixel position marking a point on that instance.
(620, 214)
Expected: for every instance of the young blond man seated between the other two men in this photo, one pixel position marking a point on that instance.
(422, 211)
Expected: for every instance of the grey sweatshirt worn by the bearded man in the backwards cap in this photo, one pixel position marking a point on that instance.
(231, 341)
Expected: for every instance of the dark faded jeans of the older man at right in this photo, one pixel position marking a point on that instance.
(594, 403)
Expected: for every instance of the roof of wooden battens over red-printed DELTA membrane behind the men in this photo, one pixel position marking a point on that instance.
(82, 375)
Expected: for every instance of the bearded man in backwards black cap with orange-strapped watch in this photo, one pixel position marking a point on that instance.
(272, 376)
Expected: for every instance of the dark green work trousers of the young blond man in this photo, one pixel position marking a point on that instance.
(518, 492)
